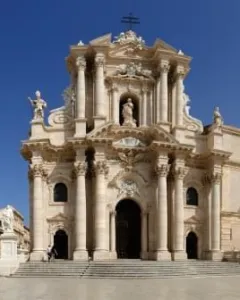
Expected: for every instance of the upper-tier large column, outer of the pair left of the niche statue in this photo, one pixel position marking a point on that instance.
(81, 93)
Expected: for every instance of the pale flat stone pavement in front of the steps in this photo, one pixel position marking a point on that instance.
(215, 288)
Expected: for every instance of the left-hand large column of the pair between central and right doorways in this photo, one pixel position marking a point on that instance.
(162, 252)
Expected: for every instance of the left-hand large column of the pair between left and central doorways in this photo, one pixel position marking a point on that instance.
(80, 252)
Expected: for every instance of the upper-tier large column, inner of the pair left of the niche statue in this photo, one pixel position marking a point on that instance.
(99, 84)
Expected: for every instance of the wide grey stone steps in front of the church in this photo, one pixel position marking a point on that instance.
(122, 269)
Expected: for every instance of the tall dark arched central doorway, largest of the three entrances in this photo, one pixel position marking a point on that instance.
(128, 229)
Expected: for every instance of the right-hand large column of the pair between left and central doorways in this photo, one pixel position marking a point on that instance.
(100, 251)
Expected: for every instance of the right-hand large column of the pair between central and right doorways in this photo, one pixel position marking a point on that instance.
(179, 252)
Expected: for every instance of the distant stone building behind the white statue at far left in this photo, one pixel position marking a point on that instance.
(20, 230)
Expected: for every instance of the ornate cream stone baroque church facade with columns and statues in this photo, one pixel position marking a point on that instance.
(123, 170)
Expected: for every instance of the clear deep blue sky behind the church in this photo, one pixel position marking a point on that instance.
(35, 37)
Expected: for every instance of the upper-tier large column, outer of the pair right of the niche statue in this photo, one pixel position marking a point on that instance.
(179, 95)
